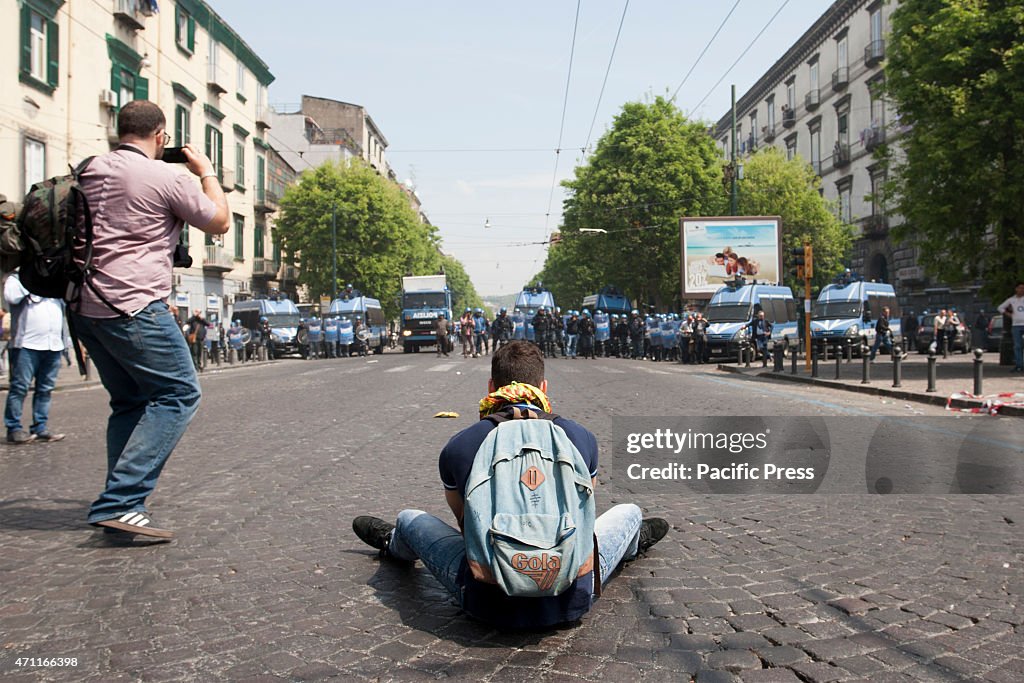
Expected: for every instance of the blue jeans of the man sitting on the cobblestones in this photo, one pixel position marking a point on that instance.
(443, 550)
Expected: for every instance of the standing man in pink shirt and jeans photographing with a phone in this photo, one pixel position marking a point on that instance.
(139, 207)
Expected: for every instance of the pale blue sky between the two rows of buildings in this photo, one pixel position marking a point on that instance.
(484, 109)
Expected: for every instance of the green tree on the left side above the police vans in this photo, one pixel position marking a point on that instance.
(379, 237)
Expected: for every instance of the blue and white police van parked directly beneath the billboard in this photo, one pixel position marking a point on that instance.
(734, 309)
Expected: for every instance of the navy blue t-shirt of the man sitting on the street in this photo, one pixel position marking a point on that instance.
(487, 602)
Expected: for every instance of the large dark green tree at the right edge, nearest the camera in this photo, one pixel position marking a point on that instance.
(956, 74)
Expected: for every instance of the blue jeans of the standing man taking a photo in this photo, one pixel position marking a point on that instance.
(145, 365)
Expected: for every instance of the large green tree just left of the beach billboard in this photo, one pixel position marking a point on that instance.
(651, 168)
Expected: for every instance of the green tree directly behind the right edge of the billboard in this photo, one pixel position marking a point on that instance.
(774, 186)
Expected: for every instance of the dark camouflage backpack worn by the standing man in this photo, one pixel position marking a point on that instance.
(42, 239)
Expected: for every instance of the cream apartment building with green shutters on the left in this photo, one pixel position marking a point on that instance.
(79, 63)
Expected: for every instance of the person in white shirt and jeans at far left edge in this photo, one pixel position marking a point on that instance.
(37, 339)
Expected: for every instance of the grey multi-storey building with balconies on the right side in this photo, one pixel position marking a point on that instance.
(822, 101)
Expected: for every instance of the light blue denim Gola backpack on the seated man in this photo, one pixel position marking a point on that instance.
(530, 510)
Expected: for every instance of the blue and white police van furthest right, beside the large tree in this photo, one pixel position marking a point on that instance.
(848, 313)
